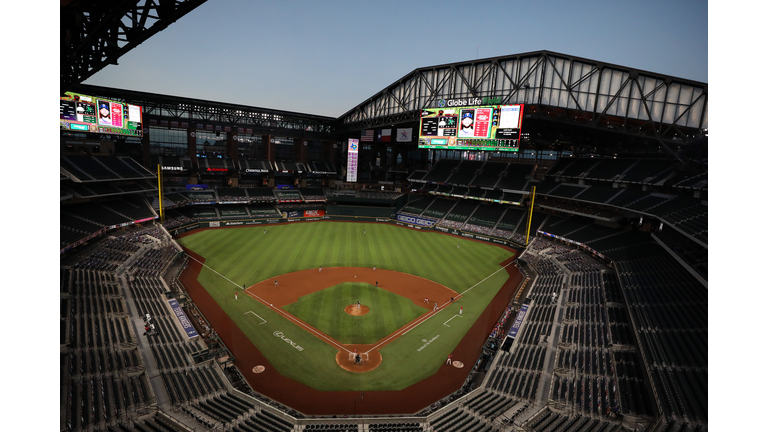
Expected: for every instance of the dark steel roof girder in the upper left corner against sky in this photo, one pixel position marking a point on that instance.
(96, 33)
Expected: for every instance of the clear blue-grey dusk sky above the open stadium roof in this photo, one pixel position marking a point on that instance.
(327, 57)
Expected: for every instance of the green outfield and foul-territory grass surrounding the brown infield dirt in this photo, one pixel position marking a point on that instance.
(247, 256)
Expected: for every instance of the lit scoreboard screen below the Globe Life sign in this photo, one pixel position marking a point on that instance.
(480, 127)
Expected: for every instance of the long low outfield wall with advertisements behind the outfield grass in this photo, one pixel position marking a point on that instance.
(402, 220)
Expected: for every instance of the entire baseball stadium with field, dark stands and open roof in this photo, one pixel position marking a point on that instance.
(514, 243)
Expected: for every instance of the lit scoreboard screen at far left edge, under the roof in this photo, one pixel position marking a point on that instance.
(83, 113)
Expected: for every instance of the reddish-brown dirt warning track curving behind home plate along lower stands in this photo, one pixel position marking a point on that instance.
(314, 402)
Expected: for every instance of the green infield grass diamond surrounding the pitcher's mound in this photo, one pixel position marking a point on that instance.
(324, 310)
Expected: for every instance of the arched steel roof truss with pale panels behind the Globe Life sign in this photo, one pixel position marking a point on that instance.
(555, 87)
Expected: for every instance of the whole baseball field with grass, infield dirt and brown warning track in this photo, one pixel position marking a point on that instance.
(308, 299)
